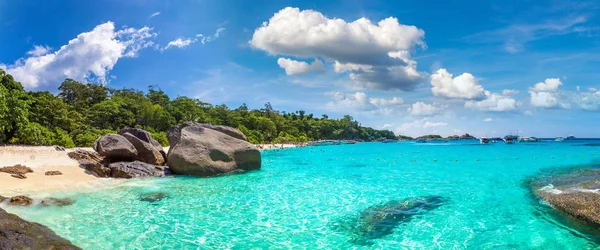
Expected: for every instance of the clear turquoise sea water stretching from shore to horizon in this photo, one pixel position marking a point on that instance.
(341, 197)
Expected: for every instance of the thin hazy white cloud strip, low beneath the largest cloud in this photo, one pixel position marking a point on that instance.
(360, 101)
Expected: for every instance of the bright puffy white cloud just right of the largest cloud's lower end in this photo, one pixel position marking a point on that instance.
(464, 86)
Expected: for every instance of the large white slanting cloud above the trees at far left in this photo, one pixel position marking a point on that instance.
(91, 55)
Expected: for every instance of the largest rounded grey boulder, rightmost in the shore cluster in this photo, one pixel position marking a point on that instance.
(207, 150)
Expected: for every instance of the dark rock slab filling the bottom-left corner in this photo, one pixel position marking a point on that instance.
(16, 233)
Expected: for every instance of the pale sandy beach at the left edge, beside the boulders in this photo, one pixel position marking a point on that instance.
(42, 159)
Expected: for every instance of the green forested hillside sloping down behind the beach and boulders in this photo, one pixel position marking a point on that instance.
(80, 113)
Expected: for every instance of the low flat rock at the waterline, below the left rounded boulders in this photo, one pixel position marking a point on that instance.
(135, 169)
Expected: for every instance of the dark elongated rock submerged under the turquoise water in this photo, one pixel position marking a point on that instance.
(381, 220)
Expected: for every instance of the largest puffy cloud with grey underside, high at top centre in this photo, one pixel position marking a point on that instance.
(376, 55)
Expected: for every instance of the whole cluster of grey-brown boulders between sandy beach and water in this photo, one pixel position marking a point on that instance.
(196, 149)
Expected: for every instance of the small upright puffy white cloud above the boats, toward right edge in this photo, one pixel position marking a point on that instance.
(547, 95)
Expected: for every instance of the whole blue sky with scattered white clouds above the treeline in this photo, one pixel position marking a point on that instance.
(488, 68)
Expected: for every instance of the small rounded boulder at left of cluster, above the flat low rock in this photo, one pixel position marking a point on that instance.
(115, 147)
